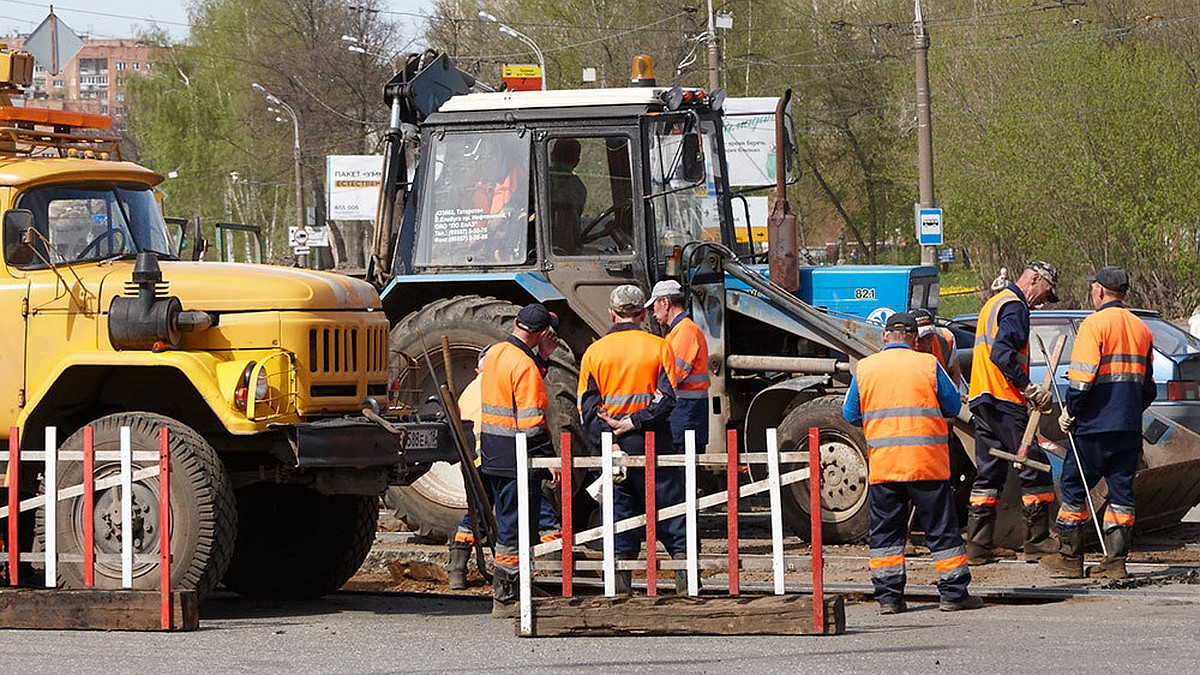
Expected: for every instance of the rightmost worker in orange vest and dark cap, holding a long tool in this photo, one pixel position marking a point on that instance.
(1112, 384)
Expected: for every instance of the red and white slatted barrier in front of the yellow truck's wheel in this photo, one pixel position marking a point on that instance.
(51, 458)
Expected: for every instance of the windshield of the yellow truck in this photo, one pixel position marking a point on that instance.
(94, 223)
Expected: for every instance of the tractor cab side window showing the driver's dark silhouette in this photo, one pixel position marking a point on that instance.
(591, 194)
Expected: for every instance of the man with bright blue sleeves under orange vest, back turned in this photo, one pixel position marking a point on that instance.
(902, 398)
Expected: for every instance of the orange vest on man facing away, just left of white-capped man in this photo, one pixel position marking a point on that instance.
(626, 367)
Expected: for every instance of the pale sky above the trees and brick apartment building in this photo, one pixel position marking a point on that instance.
(125, 19)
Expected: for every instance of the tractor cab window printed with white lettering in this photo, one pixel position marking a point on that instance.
(476, 200)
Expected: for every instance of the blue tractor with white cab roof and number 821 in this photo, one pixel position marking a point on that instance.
(559, 198)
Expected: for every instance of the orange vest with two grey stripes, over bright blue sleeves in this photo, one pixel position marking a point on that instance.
(907, 434)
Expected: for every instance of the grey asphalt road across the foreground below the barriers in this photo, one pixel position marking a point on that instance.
(395, 634)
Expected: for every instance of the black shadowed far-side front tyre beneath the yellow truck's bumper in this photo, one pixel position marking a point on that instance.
(295, 543)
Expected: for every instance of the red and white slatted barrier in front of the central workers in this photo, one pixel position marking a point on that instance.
(691, 461)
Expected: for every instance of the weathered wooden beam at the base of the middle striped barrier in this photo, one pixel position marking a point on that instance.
(683, 616)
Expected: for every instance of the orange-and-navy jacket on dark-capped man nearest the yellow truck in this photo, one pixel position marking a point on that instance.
(513, 401)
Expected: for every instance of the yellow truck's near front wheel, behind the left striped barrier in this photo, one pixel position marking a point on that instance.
(203, 521)
